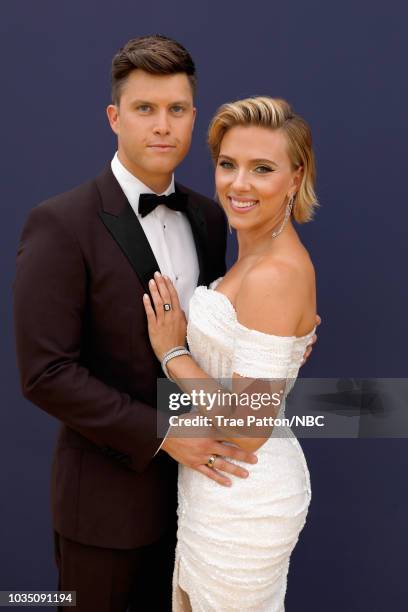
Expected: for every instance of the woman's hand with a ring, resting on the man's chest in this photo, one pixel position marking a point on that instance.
(167, 328)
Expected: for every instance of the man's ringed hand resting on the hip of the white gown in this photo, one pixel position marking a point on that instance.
(195, 452)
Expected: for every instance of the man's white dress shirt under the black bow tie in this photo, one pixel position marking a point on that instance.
(168, 232)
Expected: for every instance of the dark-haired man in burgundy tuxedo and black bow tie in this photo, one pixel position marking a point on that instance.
(83, 264)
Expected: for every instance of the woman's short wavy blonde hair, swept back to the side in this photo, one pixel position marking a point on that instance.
(275, 114)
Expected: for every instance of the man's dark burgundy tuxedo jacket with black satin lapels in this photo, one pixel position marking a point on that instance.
(85, 358)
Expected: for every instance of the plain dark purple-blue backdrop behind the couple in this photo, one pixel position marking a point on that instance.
(342, 66)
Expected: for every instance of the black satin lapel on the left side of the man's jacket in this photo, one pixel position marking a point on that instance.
(129, 235)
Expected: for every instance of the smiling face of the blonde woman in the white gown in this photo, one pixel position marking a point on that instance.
(254, 177)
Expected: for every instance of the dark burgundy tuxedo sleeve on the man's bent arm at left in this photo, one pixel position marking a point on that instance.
(49, 312)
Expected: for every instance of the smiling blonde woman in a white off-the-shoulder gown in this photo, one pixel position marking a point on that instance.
(251, 326)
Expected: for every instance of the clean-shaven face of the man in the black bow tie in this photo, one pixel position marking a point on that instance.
(154, 123)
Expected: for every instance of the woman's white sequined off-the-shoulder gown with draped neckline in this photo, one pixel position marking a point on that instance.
(234, 544)
